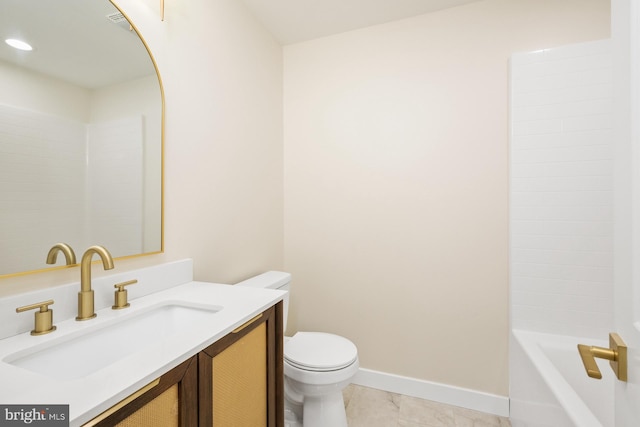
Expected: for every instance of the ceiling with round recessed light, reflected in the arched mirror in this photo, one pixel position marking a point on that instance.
(73, 41)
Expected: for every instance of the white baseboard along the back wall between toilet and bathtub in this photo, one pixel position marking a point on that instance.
(451, 395)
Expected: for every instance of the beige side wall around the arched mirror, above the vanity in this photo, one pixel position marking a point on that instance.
(222, 74)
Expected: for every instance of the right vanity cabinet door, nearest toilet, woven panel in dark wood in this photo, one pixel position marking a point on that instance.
(241, 375)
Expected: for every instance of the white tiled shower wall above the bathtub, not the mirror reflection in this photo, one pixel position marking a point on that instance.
(561, 201)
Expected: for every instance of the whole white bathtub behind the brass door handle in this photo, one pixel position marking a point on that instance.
(549, 386)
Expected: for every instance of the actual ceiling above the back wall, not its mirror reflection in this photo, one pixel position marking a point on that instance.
(292, 21)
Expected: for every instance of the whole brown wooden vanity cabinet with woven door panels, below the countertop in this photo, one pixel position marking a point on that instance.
(236, 382)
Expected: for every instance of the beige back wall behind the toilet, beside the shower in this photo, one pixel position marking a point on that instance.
(396, 169)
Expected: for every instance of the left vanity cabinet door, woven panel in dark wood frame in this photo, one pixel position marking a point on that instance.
(169, 401)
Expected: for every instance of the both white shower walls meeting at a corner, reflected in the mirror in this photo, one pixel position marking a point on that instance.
(47, 196)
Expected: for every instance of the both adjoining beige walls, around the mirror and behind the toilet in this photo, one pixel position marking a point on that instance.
(395, 166)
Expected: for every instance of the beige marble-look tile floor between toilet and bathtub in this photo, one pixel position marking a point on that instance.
(368, 407)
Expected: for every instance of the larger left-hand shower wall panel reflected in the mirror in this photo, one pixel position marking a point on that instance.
(42, 166)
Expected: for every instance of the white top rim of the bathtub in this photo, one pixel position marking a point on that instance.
(573, 405)
